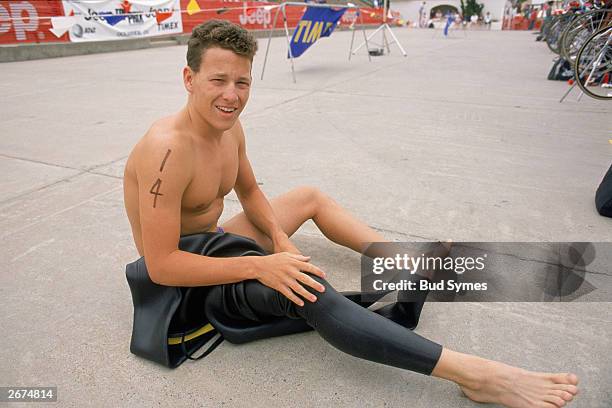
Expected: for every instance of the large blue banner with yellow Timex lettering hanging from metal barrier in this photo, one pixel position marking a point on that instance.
(315, 23)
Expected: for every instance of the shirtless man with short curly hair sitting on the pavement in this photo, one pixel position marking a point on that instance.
(178, 174)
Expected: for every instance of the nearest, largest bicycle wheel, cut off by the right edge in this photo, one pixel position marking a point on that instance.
(593, 66)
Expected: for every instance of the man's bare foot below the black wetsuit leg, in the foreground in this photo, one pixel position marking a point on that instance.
(517, 388)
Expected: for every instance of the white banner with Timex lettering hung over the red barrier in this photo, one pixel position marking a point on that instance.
(99, 20)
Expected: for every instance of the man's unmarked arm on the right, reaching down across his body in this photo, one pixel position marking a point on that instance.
(255, 204)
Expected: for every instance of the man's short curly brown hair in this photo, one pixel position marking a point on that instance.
(222, 34)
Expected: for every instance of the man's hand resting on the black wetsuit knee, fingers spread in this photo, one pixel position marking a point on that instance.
(283, 273)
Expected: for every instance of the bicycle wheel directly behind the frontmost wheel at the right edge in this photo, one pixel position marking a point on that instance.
(581, 28)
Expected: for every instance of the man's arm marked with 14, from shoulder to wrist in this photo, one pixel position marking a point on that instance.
(164, 170)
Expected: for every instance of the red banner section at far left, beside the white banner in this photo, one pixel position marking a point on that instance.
(28, 21)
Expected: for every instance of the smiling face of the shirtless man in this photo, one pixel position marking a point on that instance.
(220, 90)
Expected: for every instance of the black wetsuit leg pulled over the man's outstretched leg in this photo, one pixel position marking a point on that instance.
(341, 322)
